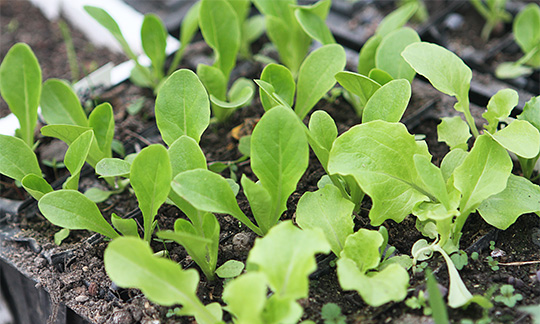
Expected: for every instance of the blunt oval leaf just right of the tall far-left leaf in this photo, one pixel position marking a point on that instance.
(60, 104)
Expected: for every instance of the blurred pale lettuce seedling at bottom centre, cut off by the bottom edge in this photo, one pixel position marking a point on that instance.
(281, 261)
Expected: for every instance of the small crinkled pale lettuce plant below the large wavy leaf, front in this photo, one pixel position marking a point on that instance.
(359, 253)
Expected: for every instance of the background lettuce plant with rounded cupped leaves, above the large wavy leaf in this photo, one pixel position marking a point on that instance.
(379, 60)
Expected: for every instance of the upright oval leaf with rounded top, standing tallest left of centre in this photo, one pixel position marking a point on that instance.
(182, 107)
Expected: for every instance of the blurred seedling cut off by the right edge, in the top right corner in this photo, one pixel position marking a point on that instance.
(526, 29)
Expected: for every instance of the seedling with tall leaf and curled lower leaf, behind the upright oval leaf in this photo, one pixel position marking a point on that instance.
(213, 16)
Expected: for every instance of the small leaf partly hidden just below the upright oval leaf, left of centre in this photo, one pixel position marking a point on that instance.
(185, 154)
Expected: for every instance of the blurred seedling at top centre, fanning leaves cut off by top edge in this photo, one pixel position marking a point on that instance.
(287, 33)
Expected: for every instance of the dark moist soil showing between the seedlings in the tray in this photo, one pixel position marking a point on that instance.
(80, 281)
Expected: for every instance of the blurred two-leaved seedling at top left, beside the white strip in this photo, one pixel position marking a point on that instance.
(154, 42)
